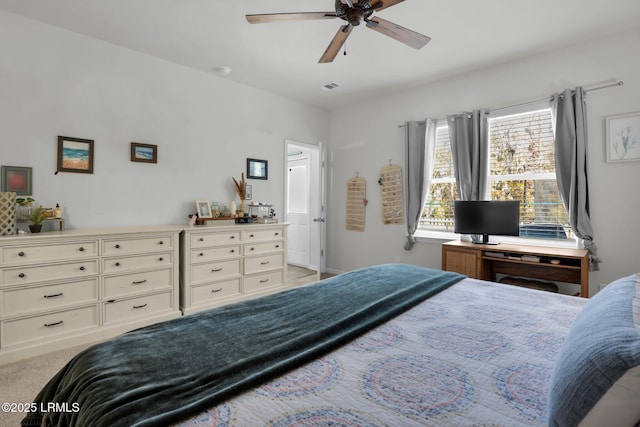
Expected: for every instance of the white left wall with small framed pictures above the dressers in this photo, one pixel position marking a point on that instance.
(54, 82)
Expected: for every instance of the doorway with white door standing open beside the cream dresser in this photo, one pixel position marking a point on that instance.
(304, 206)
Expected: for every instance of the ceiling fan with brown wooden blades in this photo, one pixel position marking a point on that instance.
(353, 12)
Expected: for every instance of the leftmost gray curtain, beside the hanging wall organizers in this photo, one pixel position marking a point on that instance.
(420, 140)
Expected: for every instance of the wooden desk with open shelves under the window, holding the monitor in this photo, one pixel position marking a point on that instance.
(481, 261)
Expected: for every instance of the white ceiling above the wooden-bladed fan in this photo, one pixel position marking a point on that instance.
(283, 57)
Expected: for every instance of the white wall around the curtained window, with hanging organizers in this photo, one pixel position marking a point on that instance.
(364, 136)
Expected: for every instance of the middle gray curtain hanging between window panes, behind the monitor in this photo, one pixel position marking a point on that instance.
(469, 136)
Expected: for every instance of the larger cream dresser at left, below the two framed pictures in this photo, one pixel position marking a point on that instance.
(59, 289)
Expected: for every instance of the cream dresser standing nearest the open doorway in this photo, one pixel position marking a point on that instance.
(225, 264)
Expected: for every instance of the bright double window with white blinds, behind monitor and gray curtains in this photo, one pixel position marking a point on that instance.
(521, 167)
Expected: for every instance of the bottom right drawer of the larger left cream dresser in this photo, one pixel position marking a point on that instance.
(144, 306)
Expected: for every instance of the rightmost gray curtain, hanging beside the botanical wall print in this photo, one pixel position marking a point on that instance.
(570, 127)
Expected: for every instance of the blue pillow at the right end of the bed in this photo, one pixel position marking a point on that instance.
(602, 346)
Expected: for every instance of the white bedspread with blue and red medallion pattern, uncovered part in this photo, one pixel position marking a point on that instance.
(478, 353)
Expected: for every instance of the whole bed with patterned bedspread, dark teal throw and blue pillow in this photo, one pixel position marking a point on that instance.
(390, 345)
